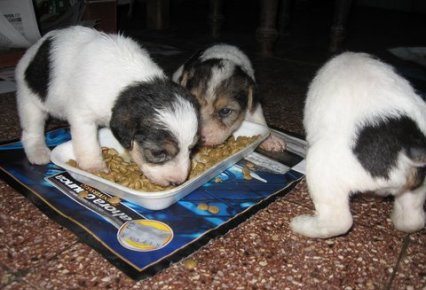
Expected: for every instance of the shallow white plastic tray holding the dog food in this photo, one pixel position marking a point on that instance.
(159, 199)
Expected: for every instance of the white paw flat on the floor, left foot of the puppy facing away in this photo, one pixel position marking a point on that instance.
(313, 227)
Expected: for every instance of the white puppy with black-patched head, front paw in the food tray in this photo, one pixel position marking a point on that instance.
(93, 79)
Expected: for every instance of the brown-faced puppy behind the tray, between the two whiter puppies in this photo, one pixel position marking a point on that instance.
(222, 79)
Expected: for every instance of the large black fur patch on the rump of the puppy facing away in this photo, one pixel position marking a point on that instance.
(377, 146)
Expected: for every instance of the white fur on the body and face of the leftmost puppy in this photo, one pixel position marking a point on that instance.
(83, 92)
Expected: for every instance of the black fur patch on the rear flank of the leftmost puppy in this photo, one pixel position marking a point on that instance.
(37, 74)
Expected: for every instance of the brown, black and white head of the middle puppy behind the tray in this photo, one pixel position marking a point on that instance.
(225, 93)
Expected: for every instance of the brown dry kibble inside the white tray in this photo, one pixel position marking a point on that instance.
(127, 173)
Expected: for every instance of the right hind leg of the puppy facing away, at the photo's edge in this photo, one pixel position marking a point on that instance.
(408, 214)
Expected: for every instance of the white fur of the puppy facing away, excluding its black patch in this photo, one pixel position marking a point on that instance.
(354, 89)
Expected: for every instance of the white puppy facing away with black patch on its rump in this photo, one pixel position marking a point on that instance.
(366, 131)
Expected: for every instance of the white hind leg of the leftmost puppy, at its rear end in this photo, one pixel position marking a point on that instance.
(32, 118)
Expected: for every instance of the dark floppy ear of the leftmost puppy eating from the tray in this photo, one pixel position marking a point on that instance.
(123, 126)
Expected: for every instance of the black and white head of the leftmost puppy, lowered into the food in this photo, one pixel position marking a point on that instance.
(157, 122)
